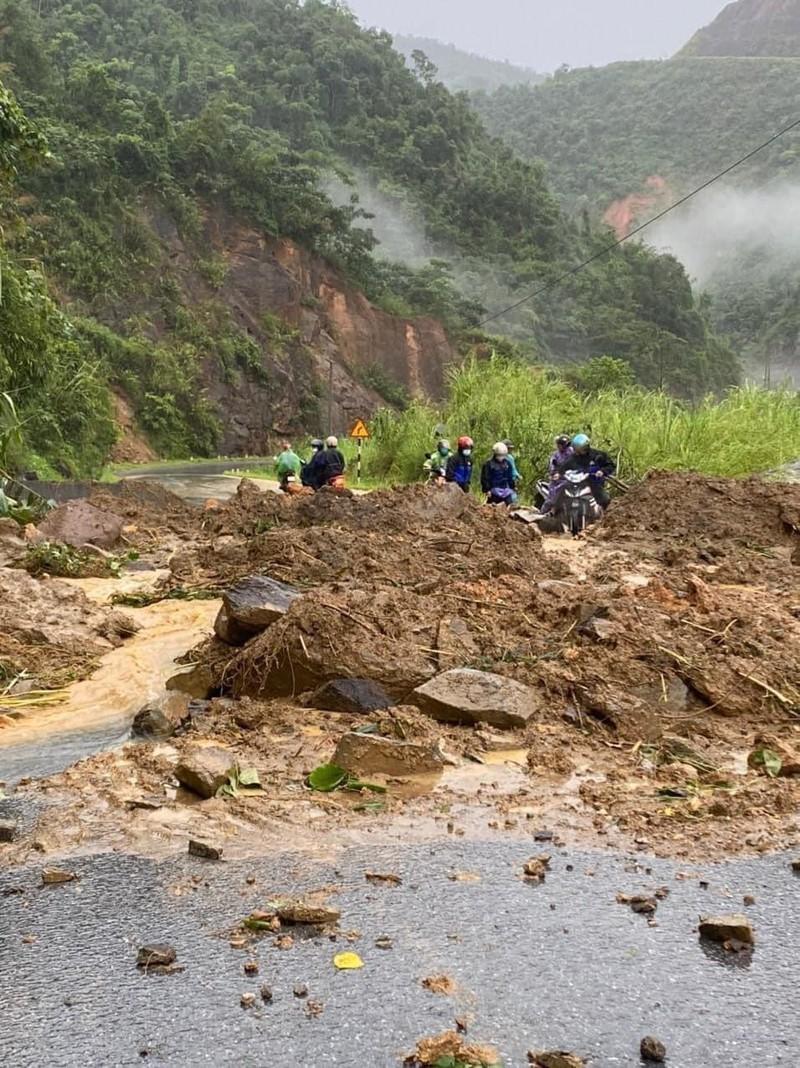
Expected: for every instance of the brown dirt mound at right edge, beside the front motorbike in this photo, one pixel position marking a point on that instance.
(720, 513)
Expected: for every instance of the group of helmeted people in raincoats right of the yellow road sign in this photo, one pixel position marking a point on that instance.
(500, 475)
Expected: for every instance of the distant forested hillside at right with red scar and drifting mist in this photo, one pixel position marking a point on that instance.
(626, 140)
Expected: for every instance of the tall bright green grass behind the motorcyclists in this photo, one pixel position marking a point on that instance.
(749, 431)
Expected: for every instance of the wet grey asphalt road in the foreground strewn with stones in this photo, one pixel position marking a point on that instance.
(554, 966)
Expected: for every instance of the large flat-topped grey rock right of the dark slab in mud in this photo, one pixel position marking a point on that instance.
(464, 696)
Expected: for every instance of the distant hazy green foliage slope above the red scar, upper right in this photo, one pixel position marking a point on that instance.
(603, 132)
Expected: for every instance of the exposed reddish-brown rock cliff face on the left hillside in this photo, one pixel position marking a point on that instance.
(320, 339)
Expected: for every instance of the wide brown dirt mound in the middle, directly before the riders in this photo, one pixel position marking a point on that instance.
(417, 538)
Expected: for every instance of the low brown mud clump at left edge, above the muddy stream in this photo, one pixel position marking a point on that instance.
(51, 632)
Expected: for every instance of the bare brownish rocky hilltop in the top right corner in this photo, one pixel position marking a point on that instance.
(751, 28)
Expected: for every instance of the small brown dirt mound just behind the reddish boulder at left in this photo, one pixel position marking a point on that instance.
(148, 510)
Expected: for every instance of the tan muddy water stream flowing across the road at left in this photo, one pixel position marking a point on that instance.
(100, 710)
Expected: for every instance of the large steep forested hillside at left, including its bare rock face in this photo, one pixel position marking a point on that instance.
(181, 221)
